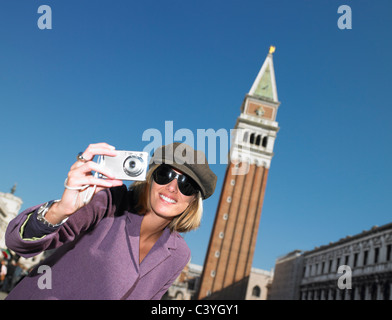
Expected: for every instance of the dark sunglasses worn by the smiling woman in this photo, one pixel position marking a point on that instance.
(165, 174)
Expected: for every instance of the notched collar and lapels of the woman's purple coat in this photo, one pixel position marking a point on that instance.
(158, 253)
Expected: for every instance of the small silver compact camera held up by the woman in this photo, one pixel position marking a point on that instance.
(127, 165)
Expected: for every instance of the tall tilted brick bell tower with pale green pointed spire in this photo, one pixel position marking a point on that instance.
(232, 243)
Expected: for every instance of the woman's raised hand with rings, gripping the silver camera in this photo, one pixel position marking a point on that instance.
(79, 176)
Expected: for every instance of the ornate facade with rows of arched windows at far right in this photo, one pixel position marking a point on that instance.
(369, 258)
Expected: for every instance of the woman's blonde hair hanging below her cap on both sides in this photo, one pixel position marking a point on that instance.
(188, 220)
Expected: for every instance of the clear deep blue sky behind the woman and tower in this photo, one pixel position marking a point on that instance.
(110, 70)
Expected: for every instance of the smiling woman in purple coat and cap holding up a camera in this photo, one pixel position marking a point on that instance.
(124, 244)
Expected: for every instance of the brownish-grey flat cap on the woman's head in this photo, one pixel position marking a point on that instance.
(189, 161)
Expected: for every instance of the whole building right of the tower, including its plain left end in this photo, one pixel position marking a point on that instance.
(356, 267)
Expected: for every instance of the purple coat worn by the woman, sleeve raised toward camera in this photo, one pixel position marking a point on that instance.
(98, 254)
